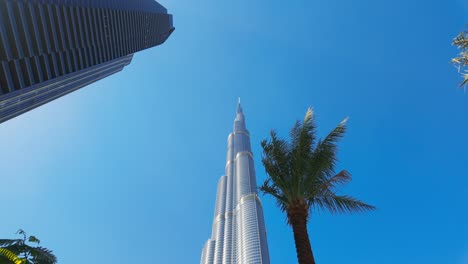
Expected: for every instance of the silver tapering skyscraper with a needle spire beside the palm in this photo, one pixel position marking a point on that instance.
(238, 231)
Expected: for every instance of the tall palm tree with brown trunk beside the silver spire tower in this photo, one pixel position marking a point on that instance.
(302, 177)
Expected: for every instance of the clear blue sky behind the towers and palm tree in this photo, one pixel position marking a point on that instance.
(125, 170)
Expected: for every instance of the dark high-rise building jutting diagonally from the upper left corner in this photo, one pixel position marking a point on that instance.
(49, 48)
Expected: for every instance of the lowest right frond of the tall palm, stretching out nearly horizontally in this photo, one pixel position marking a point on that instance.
(341, 204)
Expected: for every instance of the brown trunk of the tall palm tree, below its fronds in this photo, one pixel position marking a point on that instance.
(301, 237)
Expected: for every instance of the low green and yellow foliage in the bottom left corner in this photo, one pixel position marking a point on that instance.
(25, 253)
